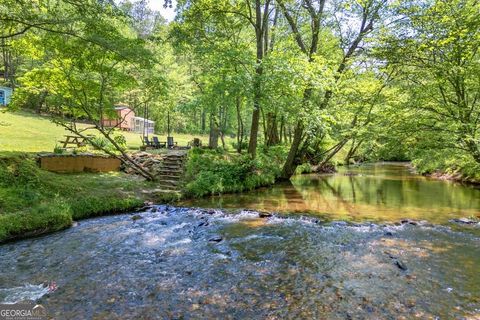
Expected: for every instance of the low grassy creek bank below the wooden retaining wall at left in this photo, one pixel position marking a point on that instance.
(34, 201)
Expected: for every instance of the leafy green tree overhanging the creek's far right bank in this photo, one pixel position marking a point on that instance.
(438, 55)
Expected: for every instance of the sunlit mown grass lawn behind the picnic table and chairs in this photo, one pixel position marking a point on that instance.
(28, 132)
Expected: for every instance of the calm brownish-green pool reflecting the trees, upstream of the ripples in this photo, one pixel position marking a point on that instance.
(380, 192)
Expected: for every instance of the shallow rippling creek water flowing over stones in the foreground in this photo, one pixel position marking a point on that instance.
(171, 262)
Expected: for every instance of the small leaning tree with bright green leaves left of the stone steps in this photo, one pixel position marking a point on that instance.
(85, 76)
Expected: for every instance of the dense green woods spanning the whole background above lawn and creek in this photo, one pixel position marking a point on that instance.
(329, 81)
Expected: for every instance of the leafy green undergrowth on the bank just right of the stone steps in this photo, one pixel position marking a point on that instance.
(211, 172)
